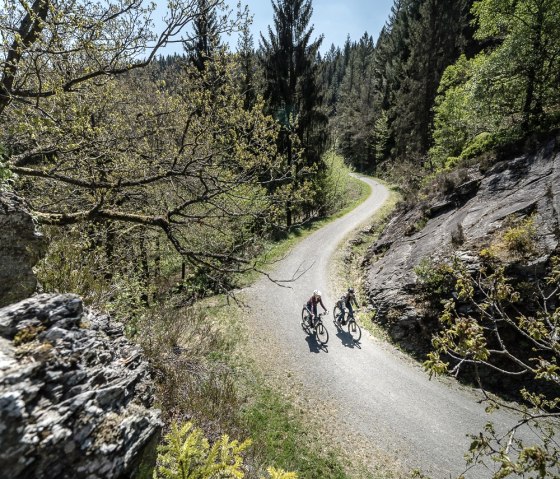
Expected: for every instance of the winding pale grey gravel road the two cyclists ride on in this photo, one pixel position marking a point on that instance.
(368, 391)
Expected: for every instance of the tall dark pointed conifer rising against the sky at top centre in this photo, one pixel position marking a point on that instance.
(291, 89)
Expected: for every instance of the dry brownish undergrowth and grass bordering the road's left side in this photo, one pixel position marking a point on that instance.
(203, 377)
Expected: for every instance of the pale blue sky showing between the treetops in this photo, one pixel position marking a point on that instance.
(334, 19)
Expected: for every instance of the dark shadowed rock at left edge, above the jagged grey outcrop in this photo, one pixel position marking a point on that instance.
(21, 246)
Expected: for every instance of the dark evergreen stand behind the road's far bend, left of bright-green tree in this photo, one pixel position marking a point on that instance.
(381, 109)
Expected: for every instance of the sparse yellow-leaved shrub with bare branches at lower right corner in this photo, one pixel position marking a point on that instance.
(507, 331)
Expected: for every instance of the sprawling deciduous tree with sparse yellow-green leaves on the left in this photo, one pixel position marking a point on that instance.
(91, 138)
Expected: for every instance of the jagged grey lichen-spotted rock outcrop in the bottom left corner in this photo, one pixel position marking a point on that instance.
(75, 394)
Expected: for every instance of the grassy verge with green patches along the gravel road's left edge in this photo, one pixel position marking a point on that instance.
(284, 434)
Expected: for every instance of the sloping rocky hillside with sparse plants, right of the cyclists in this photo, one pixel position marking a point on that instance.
(463, 213)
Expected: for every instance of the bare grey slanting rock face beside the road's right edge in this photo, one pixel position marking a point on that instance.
(461, 223)
